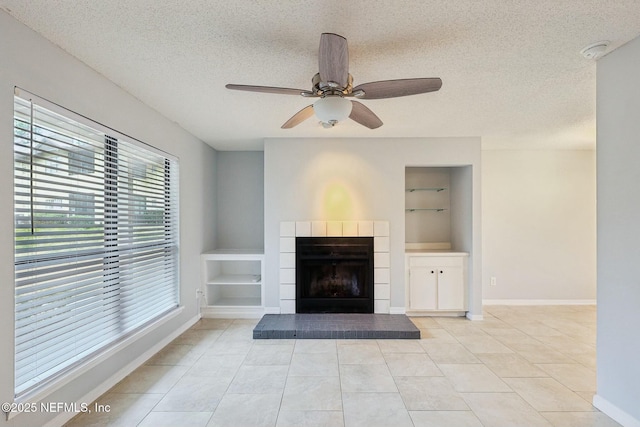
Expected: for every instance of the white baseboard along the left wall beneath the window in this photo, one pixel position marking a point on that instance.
(121, 374)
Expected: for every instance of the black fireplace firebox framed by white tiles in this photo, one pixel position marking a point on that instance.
(334, 275)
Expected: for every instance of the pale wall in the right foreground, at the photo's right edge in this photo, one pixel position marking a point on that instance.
(618, 152)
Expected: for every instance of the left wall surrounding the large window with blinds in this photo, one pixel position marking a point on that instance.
(30, 62)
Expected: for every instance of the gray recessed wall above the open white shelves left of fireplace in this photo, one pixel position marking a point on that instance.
(240, 200)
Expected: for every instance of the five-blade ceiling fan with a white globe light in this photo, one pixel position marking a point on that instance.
(333, 85)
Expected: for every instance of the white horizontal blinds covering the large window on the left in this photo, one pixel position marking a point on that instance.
(96, 240)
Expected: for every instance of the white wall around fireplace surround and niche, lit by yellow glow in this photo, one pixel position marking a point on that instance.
(358, 179)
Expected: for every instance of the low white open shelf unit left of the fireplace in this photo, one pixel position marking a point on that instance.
(232, 282)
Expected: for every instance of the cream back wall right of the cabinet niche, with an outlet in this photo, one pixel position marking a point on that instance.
(539, 225)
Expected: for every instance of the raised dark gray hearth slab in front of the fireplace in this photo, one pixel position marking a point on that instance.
(335, 326)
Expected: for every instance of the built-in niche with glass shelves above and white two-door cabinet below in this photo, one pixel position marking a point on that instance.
(438, 228)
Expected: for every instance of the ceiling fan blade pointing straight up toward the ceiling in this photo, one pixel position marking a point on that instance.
(333, 58)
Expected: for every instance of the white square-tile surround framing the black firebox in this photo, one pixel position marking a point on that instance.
(379, 230)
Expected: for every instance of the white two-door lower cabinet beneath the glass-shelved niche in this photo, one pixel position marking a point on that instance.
(436, 282)
